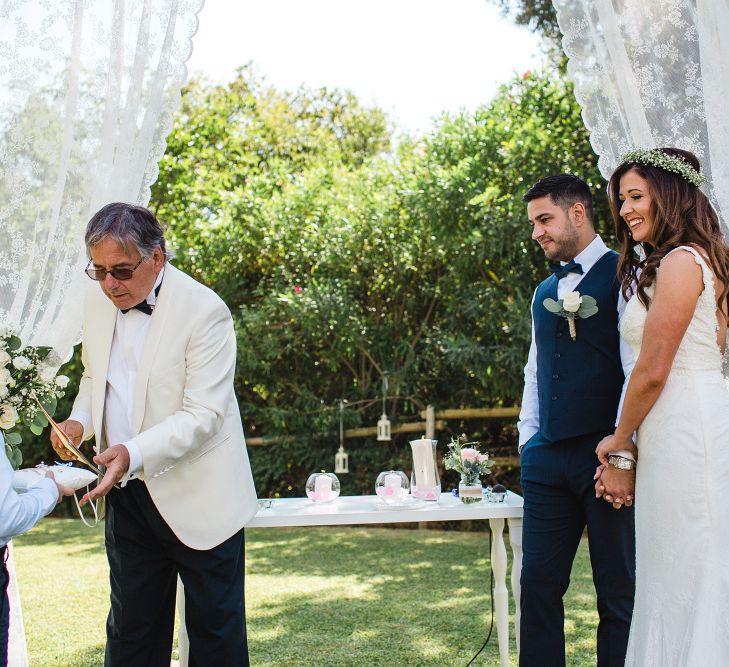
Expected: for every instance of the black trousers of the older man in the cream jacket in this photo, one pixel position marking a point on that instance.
(145, 557)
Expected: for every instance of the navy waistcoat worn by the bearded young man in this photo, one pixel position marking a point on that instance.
(579, 381)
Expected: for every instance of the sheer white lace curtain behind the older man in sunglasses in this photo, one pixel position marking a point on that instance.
(88, 92)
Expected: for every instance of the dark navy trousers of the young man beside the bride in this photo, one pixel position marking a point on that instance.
(559, 501)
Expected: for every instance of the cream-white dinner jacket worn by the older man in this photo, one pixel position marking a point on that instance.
(185, 416)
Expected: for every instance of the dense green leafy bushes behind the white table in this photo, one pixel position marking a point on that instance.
(344, 252)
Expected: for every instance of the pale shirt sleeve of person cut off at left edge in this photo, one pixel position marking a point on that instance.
(21, 511)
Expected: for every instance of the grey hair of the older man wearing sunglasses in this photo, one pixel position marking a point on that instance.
(127, 224)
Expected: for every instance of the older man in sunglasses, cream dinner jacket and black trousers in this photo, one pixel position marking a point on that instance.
(157, 391)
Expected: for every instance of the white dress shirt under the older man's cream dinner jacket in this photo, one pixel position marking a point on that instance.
(130, 333)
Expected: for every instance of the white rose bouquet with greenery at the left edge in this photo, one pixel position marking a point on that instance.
(26, 379)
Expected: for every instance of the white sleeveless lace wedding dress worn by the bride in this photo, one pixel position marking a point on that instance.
(681, 614)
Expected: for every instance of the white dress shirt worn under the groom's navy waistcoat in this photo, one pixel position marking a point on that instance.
(529, 416)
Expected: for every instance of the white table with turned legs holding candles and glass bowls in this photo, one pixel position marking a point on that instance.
(368, 509)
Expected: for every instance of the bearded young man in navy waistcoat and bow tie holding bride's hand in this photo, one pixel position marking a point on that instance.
(572, 390)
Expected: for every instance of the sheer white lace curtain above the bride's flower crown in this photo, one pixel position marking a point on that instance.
(653, 73)
